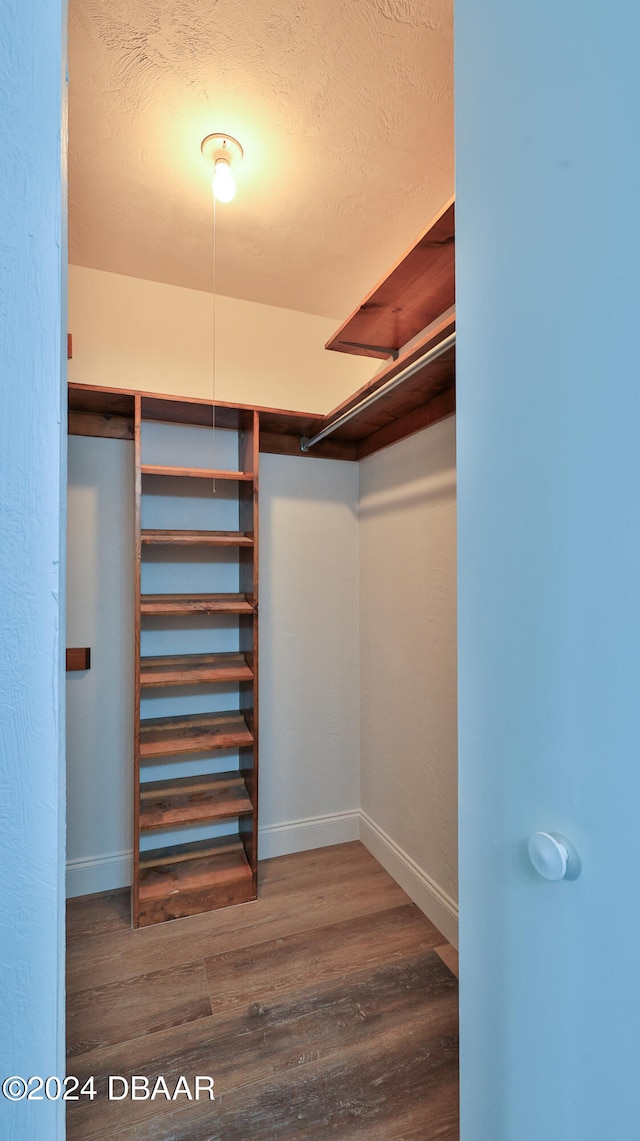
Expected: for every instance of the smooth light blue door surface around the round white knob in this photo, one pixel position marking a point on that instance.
(548, 240)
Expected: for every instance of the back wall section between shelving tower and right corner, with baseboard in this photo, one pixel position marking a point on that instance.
(310, 732)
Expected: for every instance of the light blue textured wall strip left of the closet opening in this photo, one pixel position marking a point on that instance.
(33, 252)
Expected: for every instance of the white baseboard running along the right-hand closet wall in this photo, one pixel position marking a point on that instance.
(435, 903)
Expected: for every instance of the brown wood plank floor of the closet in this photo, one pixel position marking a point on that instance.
(327, 1009)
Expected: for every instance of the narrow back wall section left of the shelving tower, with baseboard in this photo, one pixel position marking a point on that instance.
(101, 700)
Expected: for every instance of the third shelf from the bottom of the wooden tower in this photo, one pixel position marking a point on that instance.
(198, 733)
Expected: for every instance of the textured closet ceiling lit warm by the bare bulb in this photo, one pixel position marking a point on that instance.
(345, 111)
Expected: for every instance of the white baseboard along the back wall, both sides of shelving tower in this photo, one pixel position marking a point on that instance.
(90, 875)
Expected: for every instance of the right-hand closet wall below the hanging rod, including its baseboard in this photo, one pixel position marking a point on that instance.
(409, 667)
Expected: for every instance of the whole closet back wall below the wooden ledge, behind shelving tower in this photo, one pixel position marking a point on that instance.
(310, 650)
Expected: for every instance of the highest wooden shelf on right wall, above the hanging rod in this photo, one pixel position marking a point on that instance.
(418, 290)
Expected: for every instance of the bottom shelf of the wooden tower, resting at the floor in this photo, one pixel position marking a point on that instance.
(201, 883)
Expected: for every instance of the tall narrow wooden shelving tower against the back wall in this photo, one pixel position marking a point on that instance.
(185, 877)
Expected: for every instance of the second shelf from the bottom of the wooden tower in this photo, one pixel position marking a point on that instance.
(193, 800)
